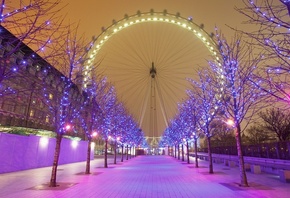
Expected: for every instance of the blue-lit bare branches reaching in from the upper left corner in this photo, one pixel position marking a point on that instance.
(28, 30)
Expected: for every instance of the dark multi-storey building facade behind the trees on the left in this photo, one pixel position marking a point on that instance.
(26, 83)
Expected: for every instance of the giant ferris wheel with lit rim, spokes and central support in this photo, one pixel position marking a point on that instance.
(148, 57)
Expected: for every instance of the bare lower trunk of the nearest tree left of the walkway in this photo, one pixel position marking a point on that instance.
(55, 160)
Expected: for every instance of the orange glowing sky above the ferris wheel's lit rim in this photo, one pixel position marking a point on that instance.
(94, 14)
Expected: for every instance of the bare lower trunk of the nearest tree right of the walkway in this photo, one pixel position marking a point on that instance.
(243, 176)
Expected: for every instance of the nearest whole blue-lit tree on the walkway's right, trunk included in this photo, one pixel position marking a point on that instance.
(240, 96)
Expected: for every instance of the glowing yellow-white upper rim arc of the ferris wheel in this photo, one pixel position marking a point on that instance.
(141, 17)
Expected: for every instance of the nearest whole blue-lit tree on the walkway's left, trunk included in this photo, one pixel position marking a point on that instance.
(67, 98)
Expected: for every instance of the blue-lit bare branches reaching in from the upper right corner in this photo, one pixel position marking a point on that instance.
(269, 32)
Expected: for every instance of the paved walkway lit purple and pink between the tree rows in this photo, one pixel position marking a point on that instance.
(143, 176)
